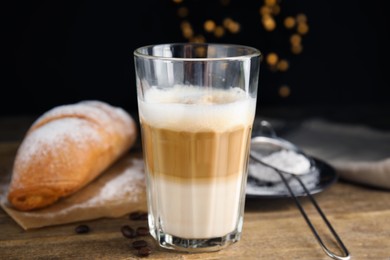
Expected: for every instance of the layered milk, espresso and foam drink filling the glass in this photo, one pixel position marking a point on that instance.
(196, 147)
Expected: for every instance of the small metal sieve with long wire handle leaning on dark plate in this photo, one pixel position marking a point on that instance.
(271, 143)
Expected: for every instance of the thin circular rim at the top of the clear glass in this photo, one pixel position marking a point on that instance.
(254, 52)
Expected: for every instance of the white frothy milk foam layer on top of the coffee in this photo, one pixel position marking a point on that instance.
(197, 109)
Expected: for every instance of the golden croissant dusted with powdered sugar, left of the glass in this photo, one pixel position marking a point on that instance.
(65, 149)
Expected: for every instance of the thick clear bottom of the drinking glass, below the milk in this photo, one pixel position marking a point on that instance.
(195, 245)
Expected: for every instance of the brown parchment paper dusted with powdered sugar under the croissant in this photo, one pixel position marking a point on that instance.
(117, 192)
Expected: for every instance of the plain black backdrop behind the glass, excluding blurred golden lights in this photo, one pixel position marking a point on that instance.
(61, 52)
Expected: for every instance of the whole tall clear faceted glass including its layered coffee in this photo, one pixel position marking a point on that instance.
(196, 104)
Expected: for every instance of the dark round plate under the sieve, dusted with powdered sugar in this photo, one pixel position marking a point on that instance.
(316, 181)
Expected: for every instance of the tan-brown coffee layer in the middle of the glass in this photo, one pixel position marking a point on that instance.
(199, 155)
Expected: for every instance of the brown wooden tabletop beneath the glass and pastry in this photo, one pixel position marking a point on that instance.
(273, 228)
